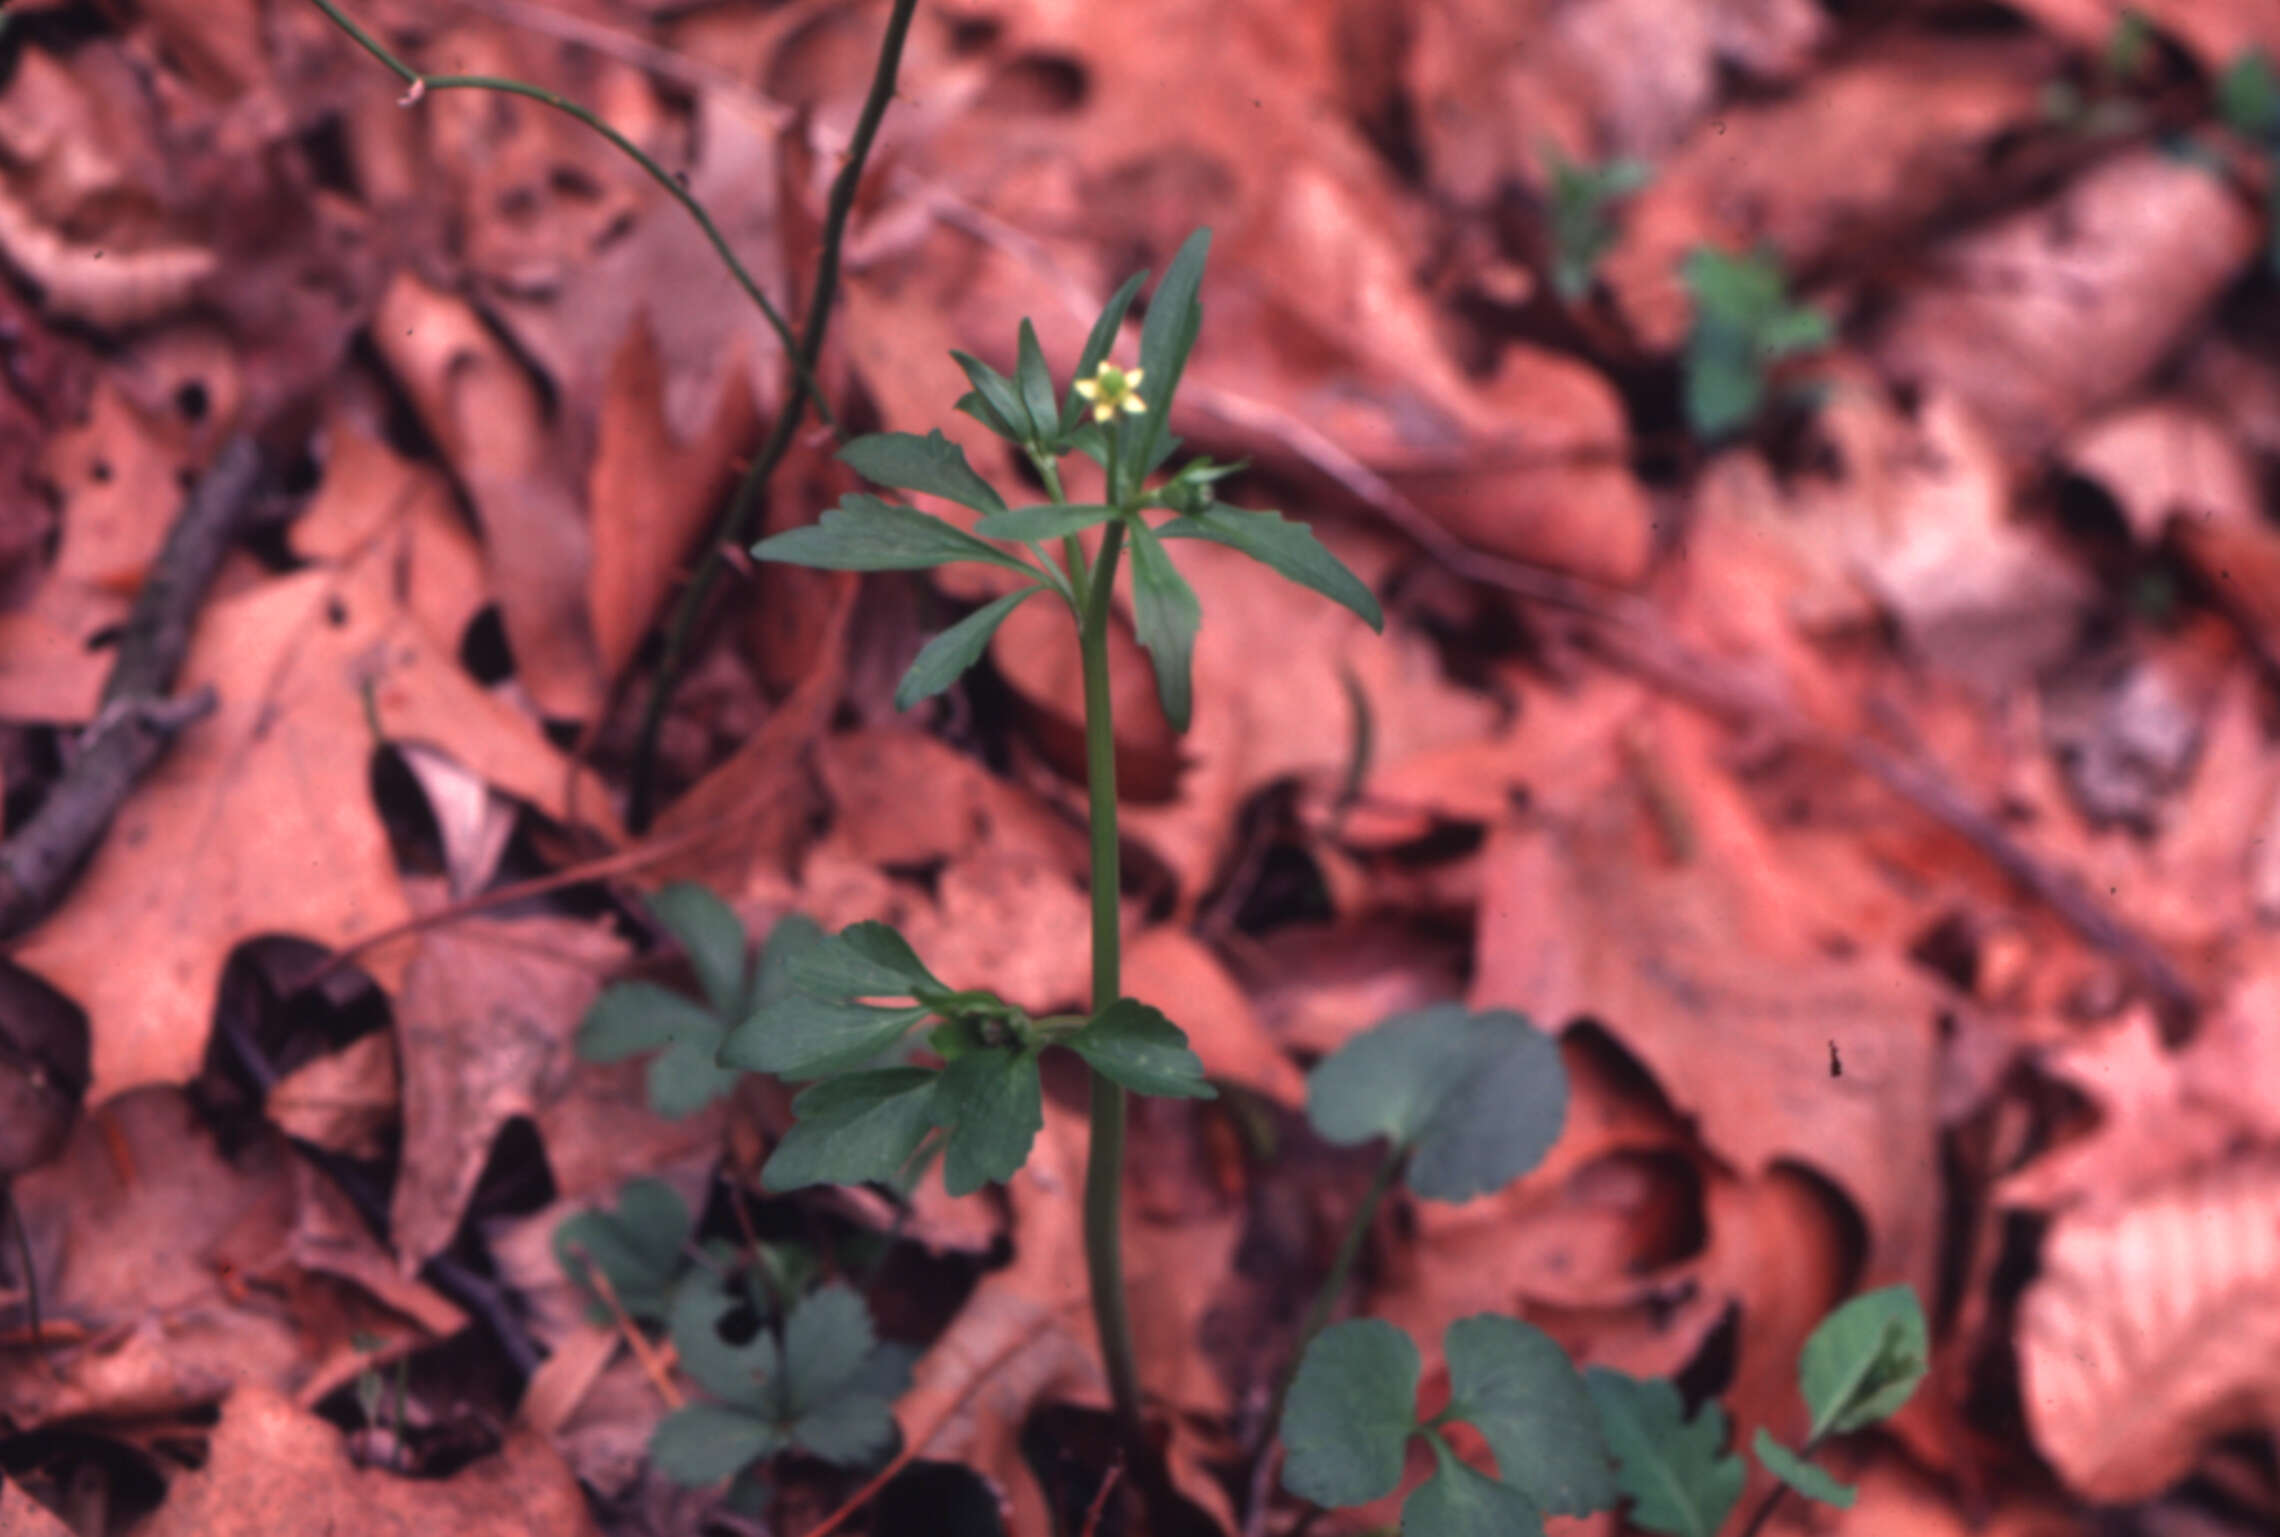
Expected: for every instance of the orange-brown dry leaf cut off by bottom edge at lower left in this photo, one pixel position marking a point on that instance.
(279, 1472)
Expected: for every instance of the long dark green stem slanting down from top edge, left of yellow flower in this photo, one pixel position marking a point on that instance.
(735, 519)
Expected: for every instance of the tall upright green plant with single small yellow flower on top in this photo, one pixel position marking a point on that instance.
(874, 1109)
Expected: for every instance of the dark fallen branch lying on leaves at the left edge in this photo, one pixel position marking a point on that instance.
(138, 719)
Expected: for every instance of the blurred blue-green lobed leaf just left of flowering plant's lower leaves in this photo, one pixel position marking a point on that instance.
(685, 1034)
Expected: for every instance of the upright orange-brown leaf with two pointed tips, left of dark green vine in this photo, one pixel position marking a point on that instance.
(651, 491)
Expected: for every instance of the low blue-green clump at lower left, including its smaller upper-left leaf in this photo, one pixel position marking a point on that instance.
(788, 1365)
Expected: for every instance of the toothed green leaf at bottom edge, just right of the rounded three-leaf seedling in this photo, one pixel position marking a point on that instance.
(1677, 1472)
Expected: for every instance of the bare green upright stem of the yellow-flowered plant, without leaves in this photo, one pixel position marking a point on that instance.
(1105, 1166)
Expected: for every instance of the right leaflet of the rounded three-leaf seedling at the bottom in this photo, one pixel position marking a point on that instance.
(1515, 1385)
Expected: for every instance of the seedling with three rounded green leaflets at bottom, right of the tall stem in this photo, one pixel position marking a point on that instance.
(1353, 1413)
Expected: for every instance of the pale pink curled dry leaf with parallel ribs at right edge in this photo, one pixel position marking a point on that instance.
(2153, 1331)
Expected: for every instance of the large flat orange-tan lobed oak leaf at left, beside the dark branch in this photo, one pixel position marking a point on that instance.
(261, 818)
